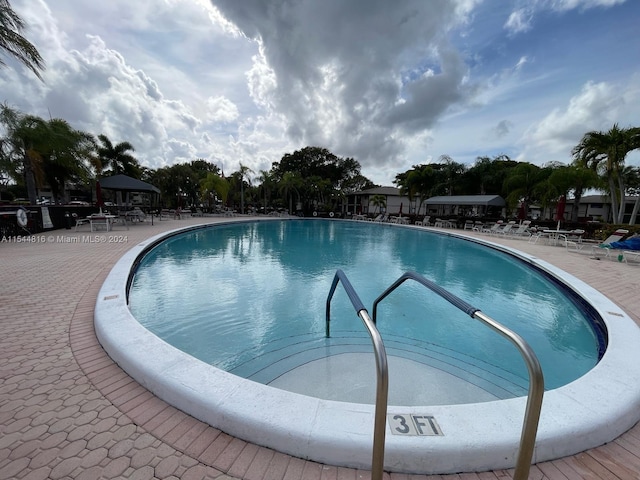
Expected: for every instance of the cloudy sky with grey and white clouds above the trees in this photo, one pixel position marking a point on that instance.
(391, 84)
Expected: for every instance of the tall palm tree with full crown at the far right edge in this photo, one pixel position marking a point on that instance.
(605, 153)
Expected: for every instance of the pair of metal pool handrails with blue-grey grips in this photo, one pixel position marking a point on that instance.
(536, 379)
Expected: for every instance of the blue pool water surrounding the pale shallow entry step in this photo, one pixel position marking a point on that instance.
(250, 298)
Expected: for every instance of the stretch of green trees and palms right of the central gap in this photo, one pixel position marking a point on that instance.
(597, 162)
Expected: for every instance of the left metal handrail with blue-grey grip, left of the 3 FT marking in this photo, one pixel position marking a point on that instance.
(382, 388)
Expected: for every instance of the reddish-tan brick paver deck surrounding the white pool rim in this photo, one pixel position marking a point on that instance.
(68, 412)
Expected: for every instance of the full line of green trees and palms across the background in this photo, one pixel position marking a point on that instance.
(35, 152)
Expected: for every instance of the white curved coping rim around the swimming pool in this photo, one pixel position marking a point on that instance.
(591, 411)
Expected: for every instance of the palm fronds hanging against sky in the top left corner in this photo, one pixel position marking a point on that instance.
(14, 44)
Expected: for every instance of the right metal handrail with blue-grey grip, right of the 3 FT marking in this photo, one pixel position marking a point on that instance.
(536, 379)
